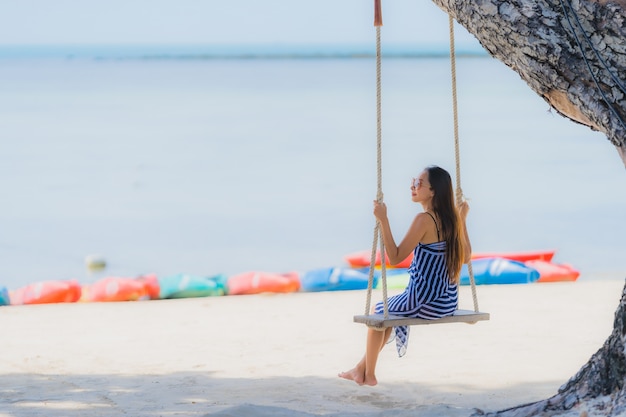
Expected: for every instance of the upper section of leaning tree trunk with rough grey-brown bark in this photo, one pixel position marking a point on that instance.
(570, 52)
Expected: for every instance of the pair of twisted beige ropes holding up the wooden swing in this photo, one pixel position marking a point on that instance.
(378, 237)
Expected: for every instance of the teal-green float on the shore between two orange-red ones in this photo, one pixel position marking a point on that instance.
(190, 286)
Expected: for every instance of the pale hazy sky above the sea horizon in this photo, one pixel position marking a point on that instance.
(32, 22)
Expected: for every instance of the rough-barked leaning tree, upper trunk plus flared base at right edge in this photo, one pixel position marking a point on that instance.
(573, 54)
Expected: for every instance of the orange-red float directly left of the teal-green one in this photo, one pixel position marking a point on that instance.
(115, 289)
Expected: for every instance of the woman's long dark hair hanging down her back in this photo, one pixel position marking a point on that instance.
(445, 209)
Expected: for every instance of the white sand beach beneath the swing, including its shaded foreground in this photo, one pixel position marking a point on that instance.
(279, 354)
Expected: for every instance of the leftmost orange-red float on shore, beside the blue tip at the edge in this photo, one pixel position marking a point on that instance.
(47, 292)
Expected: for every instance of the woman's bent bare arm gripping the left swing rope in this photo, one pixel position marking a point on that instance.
(398, 253)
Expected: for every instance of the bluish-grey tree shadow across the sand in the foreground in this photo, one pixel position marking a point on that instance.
(201, 394)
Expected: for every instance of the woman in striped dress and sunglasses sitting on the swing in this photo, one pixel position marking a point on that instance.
(440, 244)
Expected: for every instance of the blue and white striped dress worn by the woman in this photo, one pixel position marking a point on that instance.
(429, 294)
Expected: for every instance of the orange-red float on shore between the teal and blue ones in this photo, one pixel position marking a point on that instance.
(256, 282)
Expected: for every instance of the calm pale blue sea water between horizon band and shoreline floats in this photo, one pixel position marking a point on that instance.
(208, 166)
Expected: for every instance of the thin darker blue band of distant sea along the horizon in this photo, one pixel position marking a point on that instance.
(231, 51)
